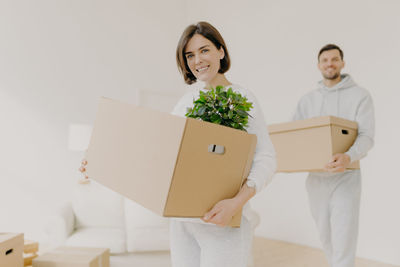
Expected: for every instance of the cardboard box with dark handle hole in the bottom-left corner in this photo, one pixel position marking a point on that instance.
(11, 250)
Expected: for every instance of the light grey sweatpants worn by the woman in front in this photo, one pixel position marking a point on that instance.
(205, 245)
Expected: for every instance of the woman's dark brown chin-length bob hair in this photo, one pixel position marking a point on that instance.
(208, 31)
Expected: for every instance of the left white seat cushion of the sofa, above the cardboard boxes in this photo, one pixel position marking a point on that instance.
(112, 238)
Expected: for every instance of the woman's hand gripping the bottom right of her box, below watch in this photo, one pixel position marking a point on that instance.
(222, 212)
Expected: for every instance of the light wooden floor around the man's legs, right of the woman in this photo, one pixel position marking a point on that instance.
(273, 253)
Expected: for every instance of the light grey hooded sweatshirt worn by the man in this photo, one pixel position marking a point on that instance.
(345, 100)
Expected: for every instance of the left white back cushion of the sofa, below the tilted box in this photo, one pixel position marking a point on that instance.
(97, 206)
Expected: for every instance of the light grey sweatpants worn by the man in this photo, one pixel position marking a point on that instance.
(335, 205)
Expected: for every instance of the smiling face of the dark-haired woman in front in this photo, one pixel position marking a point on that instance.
(203, 58)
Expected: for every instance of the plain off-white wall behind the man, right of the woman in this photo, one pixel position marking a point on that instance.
(274, 46)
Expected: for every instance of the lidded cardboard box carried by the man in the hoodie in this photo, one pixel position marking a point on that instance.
(308, 145)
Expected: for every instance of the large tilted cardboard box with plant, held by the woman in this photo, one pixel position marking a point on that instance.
(174, 166)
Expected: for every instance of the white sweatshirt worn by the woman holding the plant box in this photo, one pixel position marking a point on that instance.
(264, 162)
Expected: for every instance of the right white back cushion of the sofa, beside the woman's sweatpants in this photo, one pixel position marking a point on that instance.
(145, 230)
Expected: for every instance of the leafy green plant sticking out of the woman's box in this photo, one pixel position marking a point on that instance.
(221, 106)
